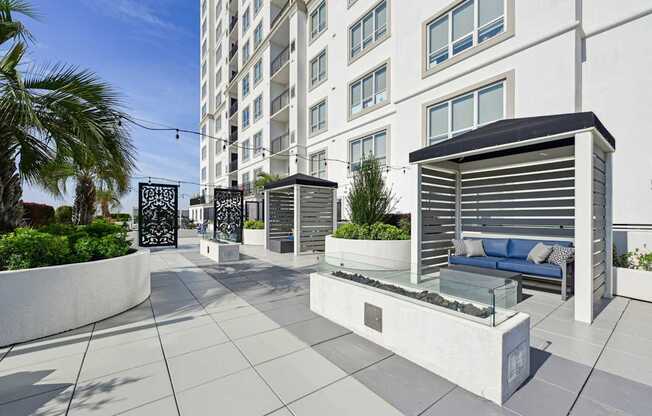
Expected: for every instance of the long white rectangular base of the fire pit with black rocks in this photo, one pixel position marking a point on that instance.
(491, 362)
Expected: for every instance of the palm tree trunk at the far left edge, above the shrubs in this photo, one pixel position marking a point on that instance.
(11, 191)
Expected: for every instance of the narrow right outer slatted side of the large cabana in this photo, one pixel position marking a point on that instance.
(599, 224)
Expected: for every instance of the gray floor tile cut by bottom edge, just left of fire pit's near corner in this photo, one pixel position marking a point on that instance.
(461, 402)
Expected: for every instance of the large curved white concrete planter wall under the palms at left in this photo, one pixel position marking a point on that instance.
(35, 303)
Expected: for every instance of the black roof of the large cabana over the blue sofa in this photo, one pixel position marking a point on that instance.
(513, 131)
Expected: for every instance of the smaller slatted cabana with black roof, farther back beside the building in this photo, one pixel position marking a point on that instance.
(300, 211)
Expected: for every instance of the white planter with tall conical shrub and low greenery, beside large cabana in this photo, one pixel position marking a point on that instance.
(369, 239)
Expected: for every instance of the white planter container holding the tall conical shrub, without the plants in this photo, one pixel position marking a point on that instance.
(371, 254)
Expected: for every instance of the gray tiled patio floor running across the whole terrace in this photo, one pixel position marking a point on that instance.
(241, 340)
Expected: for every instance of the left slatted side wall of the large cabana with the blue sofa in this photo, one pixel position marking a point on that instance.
(438, 218)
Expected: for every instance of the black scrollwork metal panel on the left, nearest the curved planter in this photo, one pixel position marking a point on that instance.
(157, 215)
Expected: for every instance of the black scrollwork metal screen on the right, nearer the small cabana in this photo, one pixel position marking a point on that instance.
(228, 212)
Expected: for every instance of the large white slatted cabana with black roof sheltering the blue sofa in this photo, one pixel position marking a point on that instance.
(535, 178)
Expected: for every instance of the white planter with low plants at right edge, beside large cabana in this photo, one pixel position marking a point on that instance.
(632, 274)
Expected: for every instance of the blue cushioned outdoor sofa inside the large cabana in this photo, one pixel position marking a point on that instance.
(510, 254)
